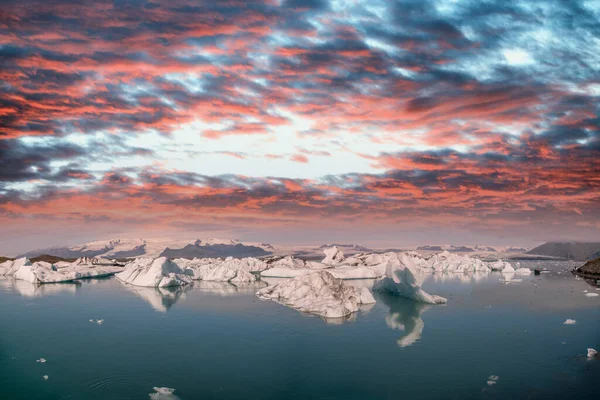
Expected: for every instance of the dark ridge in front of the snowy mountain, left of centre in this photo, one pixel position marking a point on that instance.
(215, 250)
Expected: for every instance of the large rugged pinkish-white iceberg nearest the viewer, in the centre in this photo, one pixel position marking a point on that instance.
(318, 293)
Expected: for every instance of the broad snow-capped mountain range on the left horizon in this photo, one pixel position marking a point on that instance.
(173, 248)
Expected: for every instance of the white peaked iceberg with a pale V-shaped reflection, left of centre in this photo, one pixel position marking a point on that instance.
(150, 272)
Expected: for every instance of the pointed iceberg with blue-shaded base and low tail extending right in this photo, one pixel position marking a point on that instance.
(402, 278)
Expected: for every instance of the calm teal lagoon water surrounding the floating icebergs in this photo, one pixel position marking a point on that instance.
(213, 341)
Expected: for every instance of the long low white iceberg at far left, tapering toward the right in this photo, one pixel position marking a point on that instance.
(44, 272)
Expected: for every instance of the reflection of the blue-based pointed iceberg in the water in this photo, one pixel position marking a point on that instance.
(405, 315)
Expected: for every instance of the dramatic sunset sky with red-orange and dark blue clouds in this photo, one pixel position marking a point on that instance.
(300, 121)
